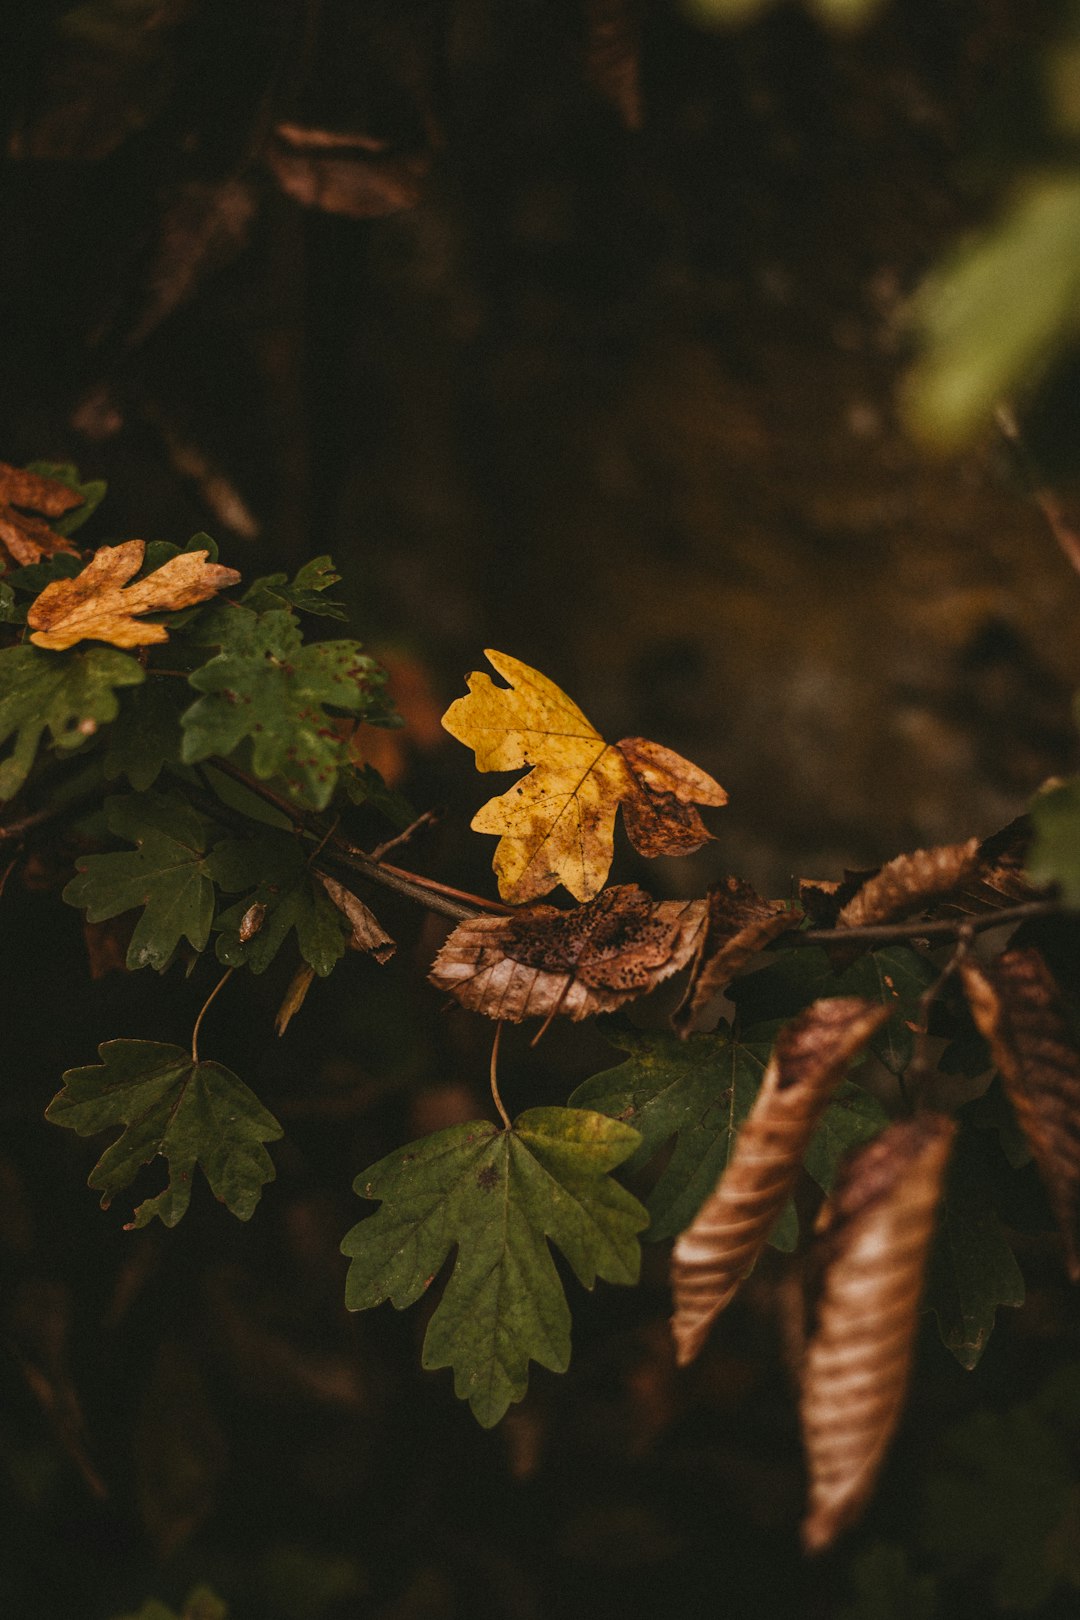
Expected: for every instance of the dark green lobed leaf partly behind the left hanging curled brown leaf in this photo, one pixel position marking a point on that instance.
(697, 1091)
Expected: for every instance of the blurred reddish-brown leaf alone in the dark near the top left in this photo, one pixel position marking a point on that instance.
(346, 174)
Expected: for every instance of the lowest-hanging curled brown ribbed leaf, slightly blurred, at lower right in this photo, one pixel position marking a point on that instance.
(874, 1243)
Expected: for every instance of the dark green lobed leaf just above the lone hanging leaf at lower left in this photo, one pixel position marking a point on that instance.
(166, 876)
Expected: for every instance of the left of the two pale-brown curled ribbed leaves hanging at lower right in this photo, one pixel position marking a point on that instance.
(731, 1229)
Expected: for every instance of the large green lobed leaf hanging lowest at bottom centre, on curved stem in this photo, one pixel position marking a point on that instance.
(500, 1196)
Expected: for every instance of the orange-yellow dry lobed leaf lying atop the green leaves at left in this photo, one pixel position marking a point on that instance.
(98, 605)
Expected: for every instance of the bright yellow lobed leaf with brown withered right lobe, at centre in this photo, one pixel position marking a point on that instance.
(558, 824)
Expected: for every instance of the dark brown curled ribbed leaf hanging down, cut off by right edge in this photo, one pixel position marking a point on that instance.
(1019, 1012)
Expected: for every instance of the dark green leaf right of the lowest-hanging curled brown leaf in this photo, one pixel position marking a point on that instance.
(972, 1269)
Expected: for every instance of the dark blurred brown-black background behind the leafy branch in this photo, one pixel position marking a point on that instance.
(572, 330)
